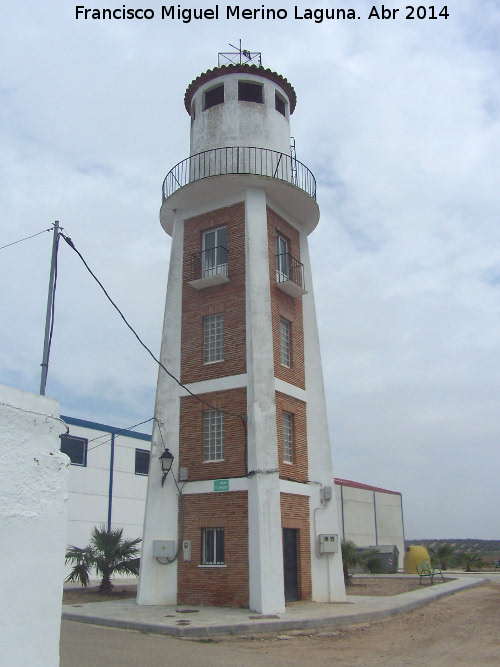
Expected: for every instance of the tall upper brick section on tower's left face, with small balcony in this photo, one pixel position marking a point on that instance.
(228, 298)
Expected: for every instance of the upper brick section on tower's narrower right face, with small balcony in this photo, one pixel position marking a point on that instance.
(285, 306)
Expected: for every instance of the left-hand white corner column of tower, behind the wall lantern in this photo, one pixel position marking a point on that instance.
(158, 580)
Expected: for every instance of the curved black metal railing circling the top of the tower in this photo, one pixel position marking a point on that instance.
(240, 160)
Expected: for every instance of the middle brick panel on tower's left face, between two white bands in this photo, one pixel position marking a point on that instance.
(191, 435)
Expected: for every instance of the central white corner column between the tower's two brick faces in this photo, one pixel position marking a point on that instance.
(264, 516)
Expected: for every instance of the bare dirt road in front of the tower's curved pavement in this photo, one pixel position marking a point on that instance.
(461, 629)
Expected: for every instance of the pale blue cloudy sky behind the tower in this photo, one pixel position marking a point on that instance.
(400, 122)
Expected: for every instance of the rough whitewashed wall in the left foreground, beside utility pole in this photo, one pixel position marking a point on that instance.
(33, 515)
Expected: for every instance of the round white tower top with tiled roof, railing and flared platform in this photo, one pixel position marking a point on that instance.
(240, 130)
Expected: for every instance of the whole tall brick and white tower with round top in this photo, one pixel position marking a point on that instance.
(252, 519)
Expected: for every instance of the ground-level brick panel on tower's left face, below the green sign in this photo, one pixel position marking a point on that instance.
(225, 586)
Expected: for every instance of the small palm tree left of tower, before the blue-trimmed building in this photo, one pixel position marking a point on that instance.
(108, 553)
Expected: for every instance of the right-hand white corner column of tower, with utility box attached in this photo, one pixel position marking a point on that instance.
(326, 569)
